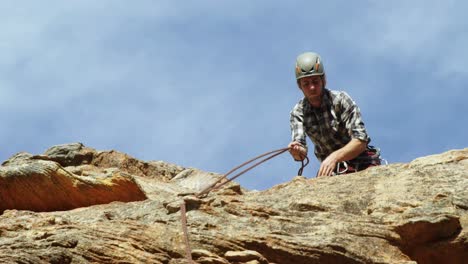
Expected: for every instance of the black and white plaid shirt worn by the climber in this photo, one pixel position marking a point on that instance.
(331, 126)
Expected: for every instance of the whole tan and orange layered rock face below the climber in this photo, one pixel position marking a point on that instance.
(74, 204)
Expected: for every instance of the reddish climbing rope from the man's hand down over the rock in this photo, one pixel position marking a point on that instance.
(223, 181)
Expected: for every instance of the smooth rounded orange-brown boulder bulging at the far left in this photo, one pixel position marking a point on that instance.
(43, 185)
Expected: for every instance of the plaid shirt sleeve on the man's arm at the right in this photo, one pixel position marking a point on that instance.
(353, 119)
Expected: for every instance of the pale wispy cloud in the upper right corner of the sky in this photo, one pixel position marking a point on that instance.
(418, 35)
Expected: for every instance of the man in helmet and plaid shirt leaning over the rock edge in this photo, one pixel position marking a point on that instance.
(332, 120)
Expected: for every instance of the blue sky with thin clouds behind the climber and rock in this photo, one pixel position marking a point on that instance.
(210, 84)
